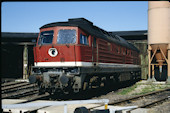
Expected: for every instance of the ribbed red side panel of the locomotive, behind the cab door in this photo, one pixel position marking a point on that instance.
(113, 53)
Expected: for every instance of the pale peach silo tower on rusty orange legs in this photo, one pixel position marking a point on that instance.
(159, 38)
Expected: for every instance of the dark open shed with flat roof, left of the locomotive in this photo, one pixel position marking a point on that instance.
(12, 53)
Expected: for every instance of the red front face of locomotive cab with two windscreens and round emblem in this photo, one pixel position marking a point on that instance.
(54, 46)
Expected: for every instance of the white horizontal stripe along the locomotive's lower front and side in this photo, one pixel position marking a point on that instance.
(85, 64)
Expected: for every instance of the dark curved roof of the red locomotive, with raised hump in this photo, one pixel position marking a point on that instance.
(88, 27)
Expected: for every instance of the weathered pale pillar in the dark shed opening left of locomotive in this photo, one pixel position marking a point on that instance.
(25, 62)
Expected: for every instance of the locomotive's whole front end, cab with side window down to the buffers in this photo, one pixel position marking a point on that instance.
(58, 56)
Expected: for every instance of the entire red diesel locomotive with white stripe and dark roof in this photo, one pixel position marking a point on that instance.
(76, 55)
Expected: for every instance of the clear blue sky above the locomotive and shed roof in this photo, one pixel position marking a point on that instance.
(108, 15)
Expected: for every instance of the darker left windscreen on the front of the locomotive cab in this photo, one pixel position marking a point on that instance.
(46, 37)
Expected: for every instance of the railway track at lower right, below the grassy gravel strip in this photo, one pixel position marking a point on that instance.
(144, 101)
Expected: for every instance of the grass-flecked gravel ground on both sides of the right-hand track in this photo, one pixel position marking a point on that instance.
(140, 87)
